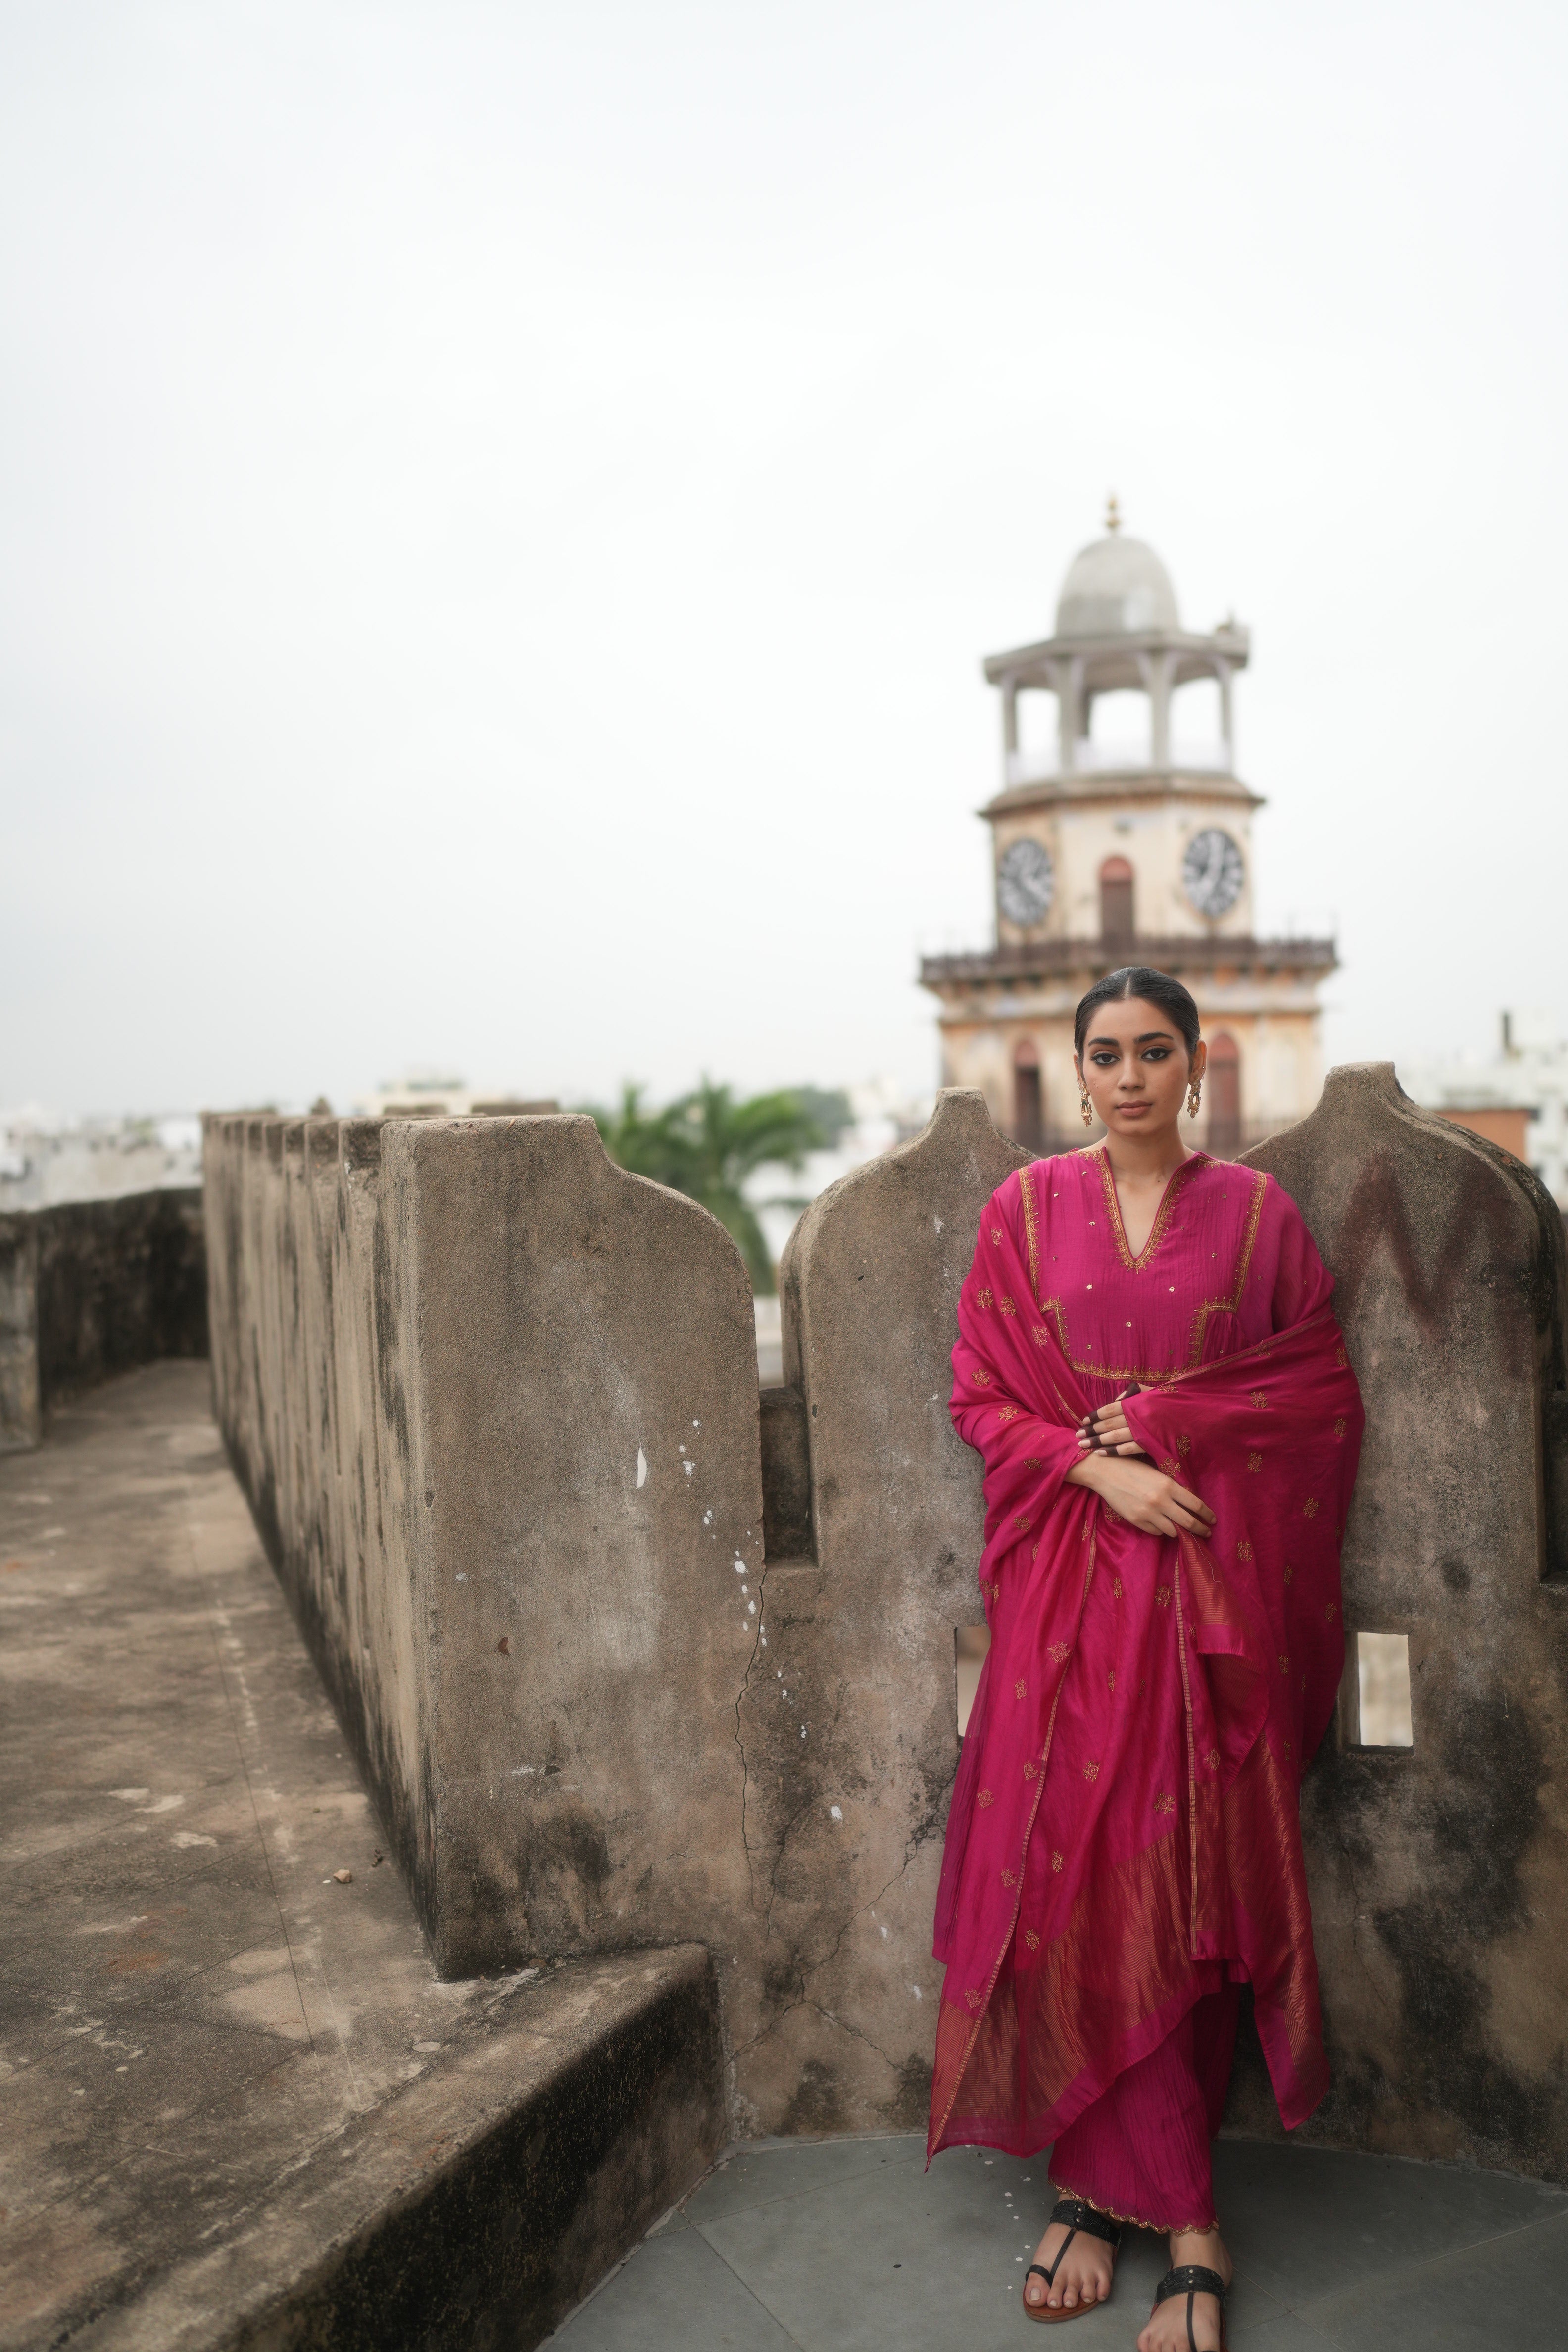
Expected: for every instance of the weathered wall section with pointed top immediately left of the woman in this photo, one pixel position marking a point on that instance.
(850, 1716)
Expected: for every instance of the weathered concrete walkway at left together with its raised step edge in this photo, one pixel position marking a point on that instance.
(236, 2104)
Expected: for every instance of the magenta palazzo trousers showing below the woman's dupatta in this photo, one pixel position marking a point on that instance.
(1144, 2149)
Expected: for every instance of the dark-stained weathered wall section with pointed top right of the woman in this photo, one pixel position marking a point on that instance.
(1440, 1873)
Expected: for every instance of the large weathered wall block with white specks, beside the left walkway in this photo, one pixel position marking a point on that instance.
(495, 1405)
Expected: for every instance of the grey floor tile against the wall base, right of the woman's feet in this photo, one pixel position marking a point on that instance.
(1313, 2221)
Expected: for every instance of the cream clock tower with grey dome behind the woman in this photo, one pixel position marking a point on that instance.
(1127, 846)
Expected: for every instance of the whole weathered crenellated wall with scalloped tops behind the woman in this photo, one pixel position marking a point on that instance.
(497, 1412)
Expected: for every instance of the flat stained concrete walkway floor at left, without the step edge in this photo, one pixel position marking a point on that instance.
(192, 2005)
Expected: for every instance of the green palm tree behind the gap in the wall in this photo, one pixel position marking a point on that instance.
(706, 1144)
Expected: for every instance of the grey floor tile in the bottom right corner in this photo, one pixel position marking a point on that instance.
(1513, 2294)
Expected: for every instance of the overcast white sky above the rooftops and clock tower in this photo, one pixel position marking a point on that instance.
(504, 509)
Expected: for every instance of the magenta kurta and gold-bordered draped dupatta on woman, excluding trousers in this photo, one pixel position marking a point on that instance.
(1125, 1826)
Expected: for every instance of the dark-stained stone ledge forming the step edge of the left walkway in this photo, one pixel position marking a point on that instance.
(485, 2200)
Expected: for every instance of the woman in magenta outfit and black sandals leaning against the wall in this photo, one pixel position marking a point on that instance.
(1153, 1372)
